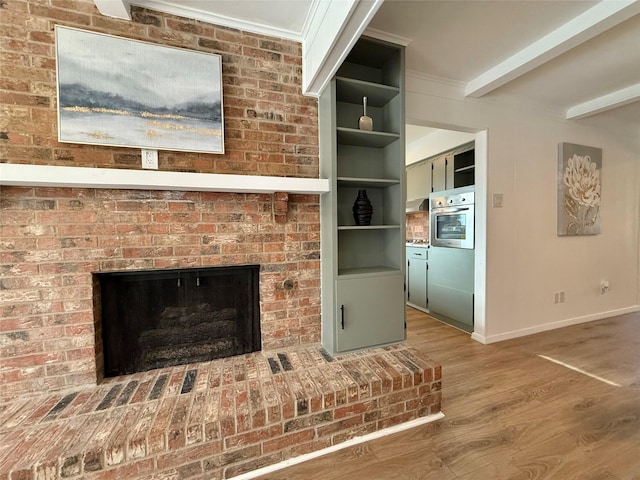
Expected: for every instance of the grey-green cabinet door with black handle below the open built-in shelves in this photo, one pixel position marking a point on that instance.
(370, 311)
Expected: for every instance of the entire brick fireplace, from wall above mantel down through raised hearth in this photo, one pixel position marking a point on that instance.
(59, 416)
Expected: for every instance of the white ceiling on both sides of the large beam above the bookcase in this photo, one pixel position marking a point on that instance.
(581, 56)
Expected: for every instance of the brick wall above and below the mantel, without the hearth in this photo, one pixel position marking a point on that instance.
(51, 240)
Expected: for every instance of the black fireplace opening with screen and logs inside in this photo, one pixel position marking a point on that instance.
(161, 318)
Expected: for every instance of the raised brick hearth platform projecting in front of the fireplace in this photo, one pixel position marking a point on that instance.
(218, 419)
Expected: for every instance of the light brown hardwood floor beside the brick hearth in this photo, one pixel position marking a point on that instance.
(512, 414)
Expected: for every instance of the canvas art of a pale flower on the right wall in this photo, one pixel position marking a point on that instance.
(579, 189)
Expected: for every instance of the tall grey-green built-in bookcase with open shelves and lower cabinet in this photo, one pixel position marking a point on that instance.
(363, 265)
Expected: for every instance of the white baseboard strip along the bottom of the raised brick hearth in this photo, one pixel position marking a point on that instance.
(334, 448)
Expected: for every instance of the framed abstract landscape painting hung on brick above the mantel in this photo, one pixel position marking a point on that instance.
(121, 92)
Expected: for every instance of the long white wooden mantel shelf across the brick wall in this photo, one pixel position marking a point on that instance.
(84, 177)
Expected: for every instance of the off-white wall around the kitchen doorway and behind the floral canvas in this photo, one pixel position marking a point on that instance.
(526, 262)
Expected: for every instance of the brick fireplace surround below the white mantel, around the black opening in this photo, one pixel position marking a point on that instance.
(53, 341)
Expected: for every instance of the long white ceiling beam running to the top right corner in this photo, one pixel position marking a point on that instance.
(601, 17)
